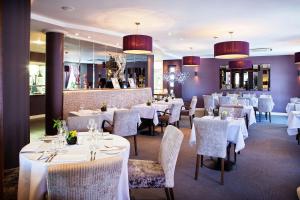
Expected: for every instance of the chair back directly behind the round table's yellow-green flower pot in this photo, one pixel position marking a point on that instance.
(80, 123)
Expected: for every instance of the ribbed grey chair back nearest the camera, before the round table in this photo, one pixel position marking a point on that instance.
(86, 180)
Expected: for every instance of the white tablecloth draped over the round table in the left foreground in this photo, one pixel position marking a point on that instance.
(33, 173)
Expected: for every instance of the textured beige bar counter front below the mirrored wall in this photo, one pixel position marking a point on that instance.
(93, 98)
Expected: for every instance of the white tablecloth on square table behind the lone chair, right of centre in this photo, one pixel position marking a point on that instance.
(236, 132)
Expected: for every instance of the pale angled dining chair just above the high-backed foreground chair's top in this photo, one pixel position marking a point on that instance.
(170, 116)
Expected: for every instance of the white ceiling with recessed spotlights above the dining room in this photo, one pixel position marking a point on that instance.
(178, 27)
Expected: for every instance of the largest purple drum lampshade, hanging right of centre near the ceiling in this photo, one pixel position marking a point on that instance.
(231, 50)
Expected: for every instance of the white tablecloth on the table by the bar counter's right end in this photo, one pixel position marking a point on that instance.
(150, 112)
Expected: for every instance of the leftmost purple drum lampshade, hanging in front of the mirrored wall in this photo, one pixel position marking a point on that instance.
(137, 44)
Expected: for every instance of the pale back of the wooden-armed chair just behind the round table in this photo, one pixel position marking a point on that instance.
(125, 122)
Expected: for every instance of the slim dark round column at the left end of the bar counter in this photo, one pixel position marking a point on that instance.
(54, 78)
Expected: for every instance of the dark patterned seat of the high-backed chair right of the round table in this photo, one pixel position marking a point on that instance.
(145, 174)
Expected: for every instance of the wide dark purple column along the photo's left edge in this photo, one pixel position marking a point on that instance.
(14, 76)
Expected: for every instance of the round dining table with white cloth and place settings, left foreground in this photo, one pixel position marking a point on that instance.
(34, 160)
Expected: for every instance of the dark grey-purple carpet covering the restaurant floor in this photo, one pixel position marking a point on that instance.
(268, 168)
